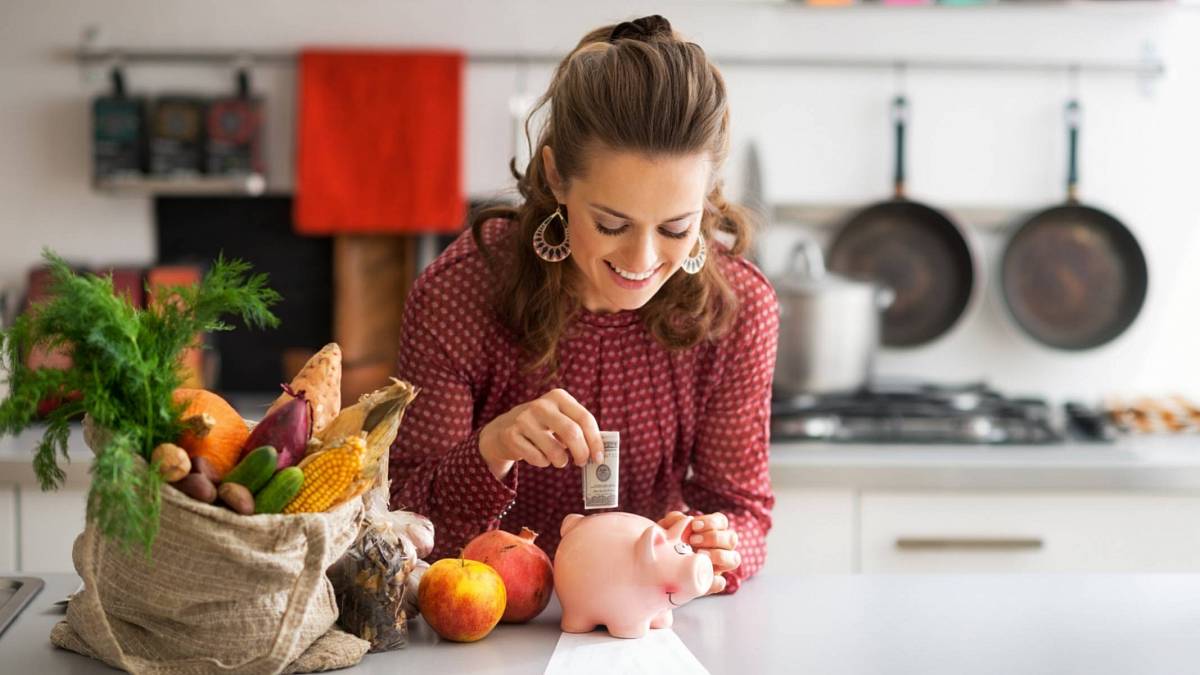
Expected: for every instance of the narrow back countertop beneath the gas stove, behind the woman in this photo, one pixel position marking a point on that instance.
(1147, 463)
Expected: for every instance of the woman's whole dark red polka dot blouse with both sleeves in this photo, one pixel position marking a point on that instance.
(694, 425)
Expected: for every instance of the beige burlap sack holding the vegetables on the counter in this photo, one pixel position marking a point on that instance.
(220, 593)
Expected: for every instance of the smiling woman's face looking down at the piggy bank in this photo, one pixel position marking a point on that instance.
(633, 222)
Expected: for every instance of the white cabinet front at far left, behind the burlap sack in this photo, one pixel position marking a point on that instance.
(49, 525)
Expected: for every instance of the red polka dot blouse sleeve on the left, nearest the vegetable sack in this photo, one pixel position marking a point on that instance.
(435, 464)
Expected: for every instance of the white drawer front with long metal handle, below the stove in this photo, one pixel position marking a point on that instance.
(1029, 533)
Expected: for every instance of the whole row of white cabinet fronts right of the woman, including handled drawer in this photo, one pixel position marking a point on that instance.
(983, 531)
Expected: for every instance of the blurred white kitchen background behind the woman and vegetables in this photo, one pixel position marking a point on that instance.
(951, 396)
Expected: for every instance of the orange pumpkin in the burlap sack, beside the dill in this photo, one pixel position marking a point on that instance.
(213, 429)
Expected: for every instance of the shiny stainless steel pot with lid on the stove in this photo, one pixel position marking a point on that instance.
(830, 327)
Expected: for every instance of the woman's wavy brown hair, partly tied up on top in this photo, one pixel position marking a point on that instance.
(632, 87)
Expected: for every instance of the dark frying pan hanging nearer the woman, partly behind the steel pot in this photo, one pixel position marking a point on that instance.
(913, 249)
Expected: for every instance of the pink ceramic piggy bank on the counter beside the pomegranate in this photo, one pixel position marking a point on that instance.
(627, 574)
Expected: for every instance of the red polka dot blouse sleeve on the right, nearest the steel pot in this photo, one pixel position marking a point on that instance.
(730, 459)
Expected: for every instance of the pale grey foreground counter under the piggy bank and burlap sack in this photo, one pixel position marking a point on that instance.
(823, 624)
